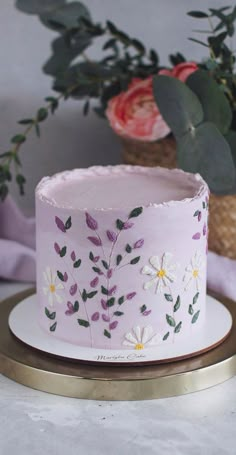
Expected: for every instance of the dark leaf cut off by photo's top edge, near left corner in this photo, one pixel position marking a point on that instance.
(38, 6)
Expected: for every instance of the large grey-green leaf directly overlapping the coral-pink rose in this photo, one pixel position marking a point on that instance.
(179, 106)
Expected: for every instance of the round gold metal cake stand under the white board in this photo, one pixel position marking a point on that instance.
(38, 370)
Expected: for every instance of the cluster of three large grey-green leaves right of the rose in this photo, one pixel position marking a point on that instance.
(196, 113)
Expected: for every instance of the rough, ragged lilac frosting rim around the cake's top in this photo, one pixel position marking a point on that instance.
(49, 184)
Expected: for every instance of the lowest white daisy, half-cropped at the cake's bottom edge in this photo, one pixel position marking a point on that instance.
(139, 337)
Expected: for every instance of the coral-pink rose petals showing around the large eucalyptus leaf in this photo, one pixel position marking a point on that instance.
(134, 113)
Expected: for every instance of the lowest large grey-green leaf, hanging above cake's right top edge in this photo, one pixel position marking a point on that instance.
(199, 149)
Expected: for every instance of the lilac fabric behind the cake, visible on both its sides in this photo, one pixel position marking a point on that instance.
(18, 262)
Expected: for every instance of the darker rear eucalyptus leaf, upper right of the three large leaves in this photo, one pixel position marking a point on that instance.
(215, 105)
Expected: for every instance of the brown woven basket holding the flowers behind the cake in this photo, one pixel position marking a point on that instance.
(222, 219)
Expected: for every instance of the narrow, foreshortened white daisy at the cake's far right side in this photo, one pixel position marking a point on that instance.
(193, 275)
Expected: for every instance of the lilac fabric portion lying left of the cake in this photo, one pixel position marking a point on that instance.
(17, 243)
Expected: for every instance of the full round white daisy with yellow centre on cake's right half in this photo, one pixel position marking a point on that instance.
(162, 272)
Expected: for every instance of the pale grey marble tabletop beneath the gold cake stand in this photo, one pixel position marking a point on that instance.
(33, 422)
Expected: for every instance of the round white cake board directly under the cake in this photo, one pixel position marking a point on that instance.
(217, 327)
